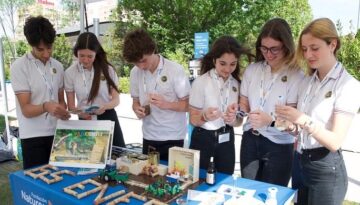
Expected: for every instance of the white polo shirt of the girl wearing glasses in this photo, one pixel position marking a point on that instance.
(284, 83)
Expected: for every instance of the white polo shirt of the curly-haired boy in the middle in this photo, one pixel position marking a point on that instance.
(169, 80)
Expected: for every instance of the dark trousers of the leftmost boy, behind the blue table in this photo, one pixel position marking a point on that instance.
(36, 151)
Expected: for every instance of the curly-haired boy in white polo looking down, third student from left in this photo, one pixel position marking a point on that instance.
(160, 91)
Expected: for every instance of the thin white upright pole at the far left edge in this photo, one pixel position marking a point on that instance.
(4, 96)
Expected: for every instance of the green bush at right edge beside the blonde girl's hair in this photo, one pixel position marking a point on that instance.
(349, 54)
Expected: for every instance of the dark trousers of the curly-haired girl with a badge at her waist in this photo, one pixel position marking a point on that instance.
(207, 142)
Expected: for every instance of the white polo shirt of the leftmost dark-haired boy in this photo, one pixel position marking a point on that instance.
(28, 75)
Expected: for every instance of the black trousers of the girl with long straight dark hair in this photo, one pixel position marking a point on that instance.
(118, 139)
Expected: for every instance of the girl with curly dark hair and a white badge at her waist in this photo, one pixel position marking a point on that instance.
(212, 94)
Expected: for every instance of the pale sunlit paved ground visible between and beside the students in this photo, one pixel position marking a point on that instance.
(131, 128)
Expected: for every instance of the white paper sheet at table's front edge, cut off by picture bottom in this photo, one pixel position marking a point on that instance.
(206, 198)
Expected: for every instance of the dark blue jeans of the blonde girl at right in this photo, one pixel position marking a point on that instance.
(324, 177)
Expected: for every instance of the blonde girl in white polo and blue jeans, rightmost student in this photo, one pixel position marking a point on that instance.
(329, 99)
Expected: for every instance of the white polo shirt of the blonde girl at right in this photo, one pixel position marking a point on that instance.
(338, 92)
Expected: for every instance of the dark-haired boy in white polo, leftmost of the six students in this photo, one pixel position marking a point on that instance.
(37, 80)
